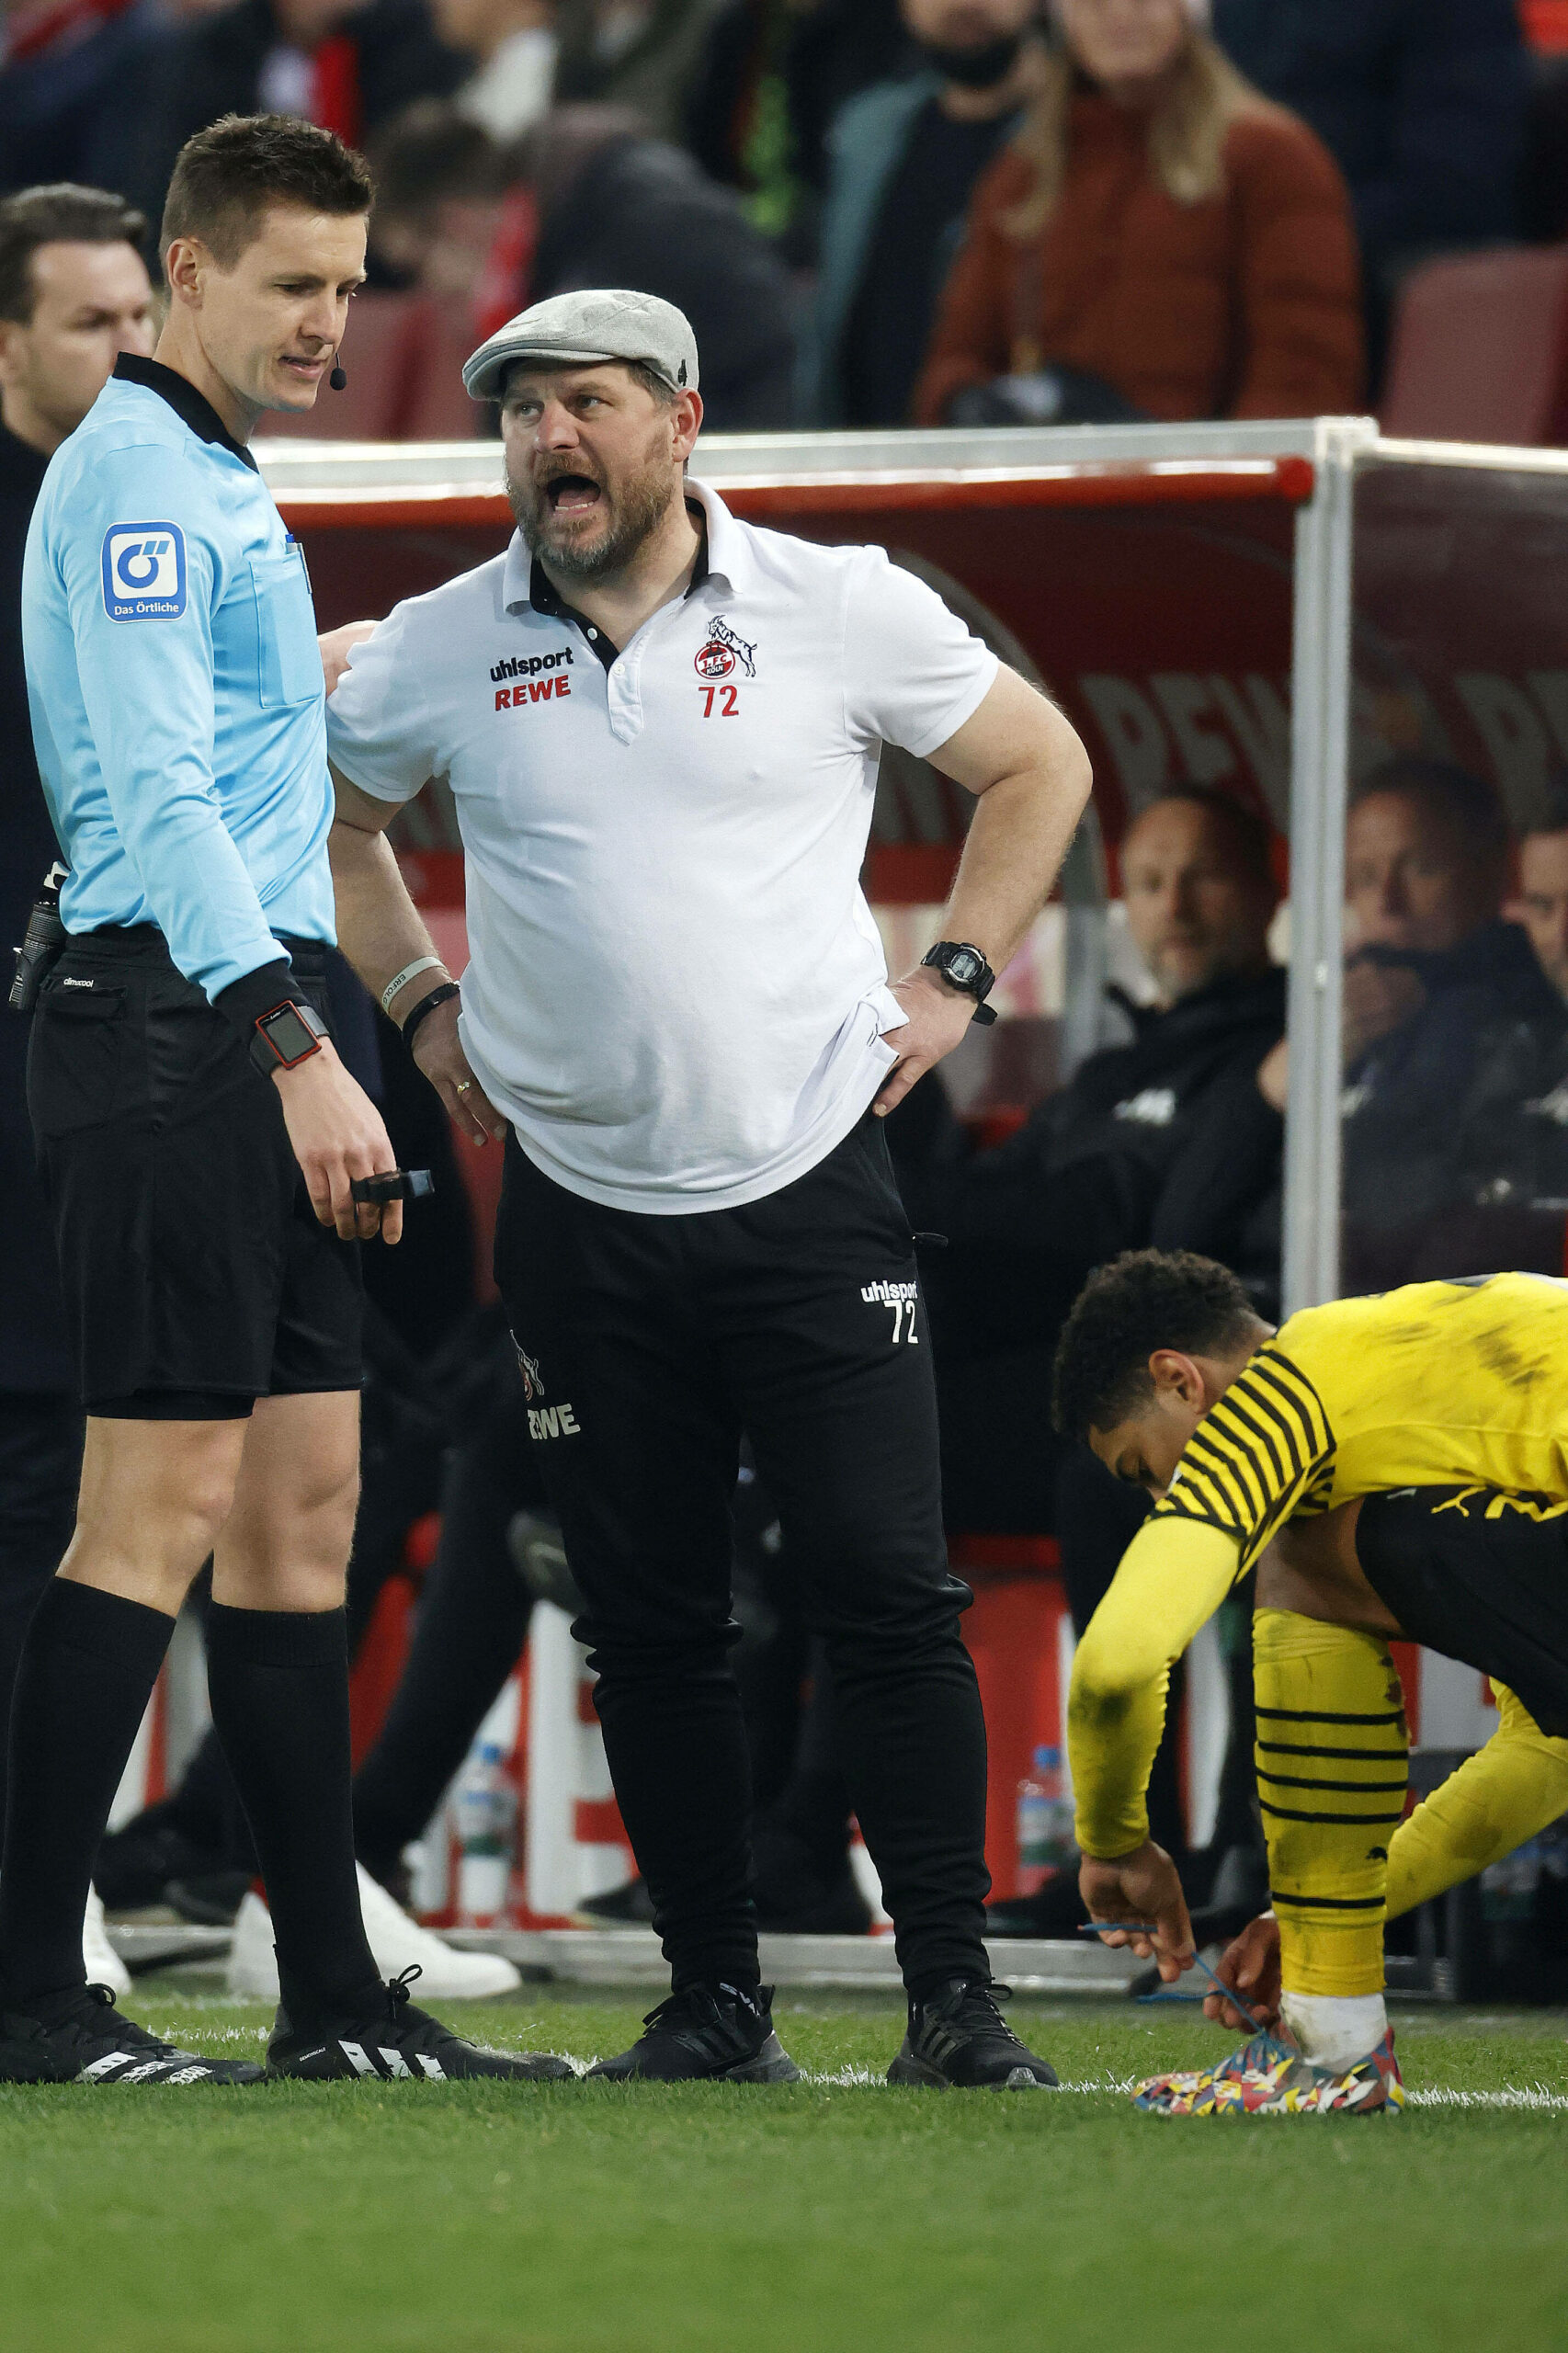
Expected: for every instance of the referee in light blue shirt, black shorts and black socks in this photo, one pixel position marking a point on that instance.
(199, 1135)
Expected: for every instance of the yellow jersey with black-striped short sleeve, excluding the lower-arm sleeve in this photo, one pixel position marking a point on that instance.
(1433, 1385)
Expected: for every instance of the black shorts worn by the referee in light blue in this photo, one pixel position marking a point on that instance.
(194, 1269)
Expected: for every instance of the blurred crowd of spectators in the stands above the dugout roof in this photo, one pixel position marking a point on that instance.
(877, 213)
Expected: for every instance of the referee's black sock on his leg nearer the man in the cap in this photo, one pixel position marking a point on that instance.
(279, 1684)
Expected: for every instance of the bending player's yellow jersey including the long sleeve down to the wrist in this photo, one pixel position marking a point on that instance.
(1426, 1387)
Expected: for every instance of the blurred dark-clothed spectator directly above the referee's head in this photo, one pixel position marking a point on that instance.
(345, 65)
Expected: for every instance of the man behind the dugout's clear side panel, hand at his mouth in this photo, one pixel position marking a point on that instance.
(1447, 1020)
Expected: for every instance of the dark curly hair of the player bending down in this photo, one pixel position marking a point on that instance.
(1131, 1307)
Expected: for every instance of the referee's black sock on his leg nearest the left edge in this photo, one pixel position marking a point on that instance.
(88, 1672)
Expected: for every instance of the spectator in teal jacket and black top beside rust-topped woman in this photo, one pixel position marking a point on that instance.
(905, 159)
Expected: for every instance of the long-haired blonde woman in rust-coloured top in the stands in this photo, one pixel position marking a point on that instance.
(1160, 227)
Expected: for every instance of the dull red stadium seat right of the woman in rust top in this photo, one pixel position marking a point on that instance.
(1482, 349)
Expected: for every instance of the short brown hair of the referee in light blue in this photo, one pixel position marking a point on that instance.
(230, 175)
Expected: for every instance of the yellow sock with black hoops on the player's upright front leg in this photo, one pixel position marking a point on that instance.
(1331, 1782)
